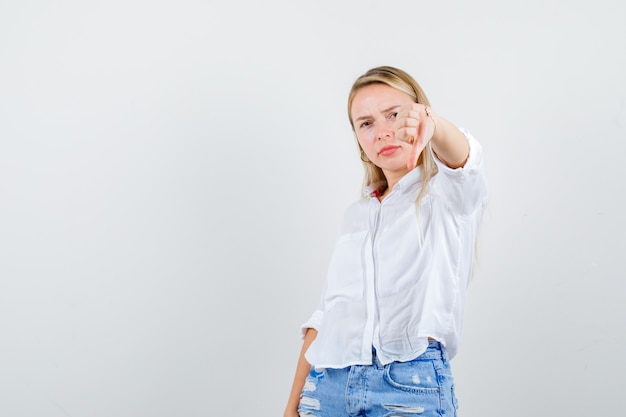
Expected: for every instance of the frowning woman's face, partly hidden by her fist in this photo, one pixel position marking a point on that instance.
(373, 113)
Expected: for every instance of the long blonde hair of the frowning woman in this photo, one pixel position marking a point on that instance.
(400, 80)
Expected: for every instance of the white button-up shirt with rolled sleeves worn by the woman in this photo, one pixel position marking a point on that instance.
(398, 273)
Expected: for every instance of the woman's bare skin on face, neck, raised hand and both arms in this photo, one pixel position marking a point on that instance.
(392, 130)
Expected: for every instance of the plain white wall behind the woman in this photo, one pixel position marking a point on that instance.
(172, 175)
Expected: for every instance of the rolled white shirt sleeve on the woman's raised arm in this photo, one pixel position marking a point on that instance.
(465, 187)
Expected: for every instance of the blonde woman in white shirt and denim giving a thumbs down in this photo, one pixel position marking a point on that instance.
(391, 314)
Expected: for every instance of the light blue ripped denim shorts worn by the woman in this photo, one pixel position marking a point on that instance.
(423, 387)
